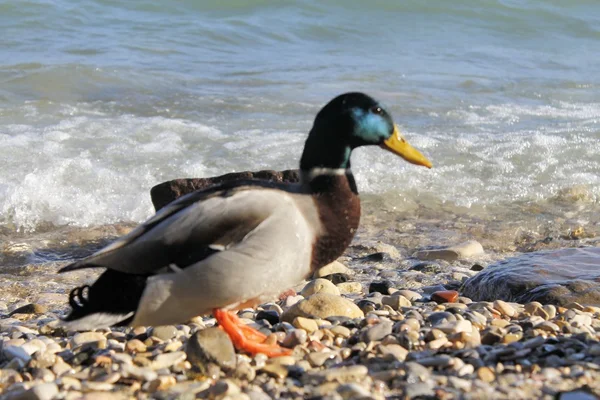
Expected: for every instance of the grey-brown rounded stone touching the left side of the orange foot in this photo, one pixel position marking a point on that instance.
(211, 345)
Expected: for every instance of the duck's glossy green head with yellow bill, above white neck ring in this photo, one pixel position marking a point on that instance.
(349, 121)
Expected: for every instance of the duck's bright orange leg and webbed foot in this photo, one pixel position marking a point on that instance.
(247, 338)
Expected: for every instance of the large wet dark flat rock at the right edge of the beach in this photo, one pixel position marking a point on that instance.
(550, 277)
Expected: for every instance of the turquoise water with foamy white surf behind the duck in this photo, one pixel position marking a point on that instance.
(100, 100)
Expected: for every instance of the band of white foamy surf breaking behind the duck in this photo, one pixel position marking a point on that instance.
(90, 168)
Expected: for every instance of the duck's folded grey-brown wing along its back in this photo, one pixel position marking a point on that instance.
(188, 230)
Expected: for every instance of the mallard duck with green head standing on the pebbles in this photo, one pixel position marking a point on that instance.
(243, 242)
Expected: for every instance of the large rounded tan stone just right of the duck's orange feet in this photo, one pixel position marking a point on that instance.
(323, 305)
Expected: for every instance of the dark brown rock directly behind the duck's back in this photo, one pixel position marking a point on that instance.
(166, 192)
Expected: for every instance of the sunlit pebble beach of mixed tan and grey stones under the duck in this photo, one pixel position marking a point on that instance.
(377, 324)
